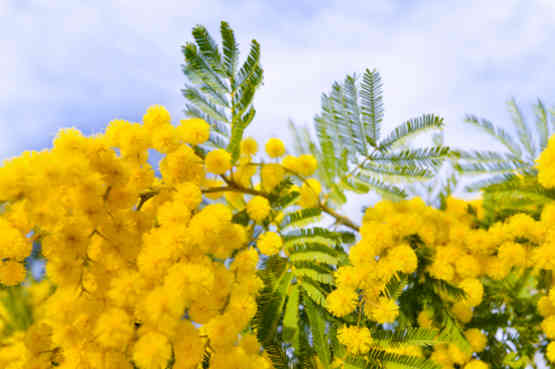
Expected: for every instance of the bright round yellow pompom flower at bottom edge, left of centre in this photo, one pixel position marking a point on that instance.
(152, 351)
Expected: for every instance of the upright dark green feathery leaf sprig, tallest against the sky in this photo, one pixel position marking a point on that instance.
(219, 91)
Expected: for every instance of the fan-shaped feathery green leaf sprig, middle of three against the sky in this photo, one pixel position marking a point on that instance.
(352, 153)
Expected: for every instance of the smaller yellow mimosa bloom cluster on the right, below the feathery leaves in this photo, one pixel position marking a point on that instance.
(462, 254)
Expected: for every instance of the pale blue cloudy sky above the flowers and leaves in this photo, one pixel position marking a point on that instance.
(84, 63)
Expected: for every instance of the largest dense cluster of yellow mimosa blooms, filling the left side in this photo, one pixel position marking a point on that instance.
(138, 260)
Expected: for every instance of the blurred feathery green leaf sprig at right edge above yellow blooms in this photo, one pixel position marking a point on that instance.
(508, 178)
